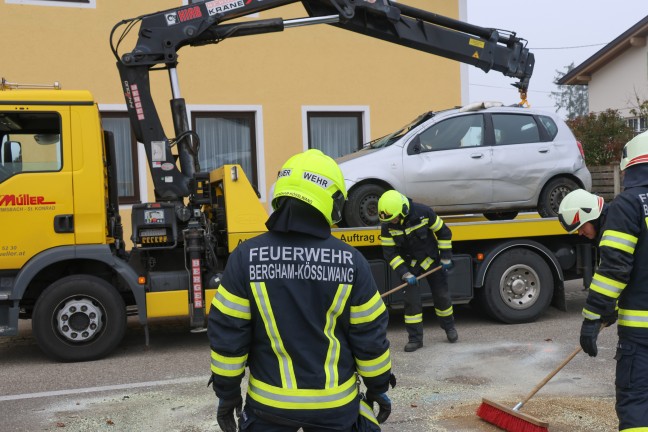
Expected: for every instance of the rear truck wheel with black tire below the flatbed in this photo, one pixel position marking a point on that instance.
(518, 287)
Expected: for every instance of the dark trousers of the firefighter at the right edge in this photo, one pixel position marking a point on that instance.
(631, 384)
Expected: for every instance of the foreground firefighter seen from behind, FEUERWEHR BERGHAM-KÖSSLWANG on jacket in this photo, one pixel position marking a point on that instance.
(301, 310)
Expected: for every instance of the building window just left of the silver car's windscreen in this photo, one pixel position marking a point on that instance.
(335, 133)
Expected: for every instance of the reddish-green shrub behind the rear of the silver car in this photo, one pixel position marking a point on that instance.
(602, 136)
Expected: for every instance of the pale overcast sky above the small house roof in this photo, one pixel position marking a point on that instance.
(558, 33)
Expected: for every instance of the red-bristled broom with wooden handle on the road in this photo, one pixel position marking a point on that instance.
(512, 420)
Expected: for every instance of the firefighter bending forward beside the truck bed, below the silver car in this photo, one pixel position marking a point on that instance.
(415, 240)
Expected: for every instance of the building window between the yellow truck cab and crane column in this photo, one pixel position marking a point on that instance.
(126, 155)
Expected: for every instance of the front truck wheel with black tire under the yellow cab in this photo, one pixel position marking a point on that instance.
(79, 318)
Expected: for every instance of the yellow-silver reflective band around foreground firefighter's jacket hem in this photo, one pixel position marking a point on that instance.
(302, 399)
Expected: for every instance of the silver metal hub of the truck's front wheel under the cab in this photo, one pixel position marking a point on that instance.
(79, 320)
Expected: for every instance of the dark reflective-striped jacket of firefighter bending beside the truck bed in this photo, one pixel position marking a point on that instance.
(416, 241)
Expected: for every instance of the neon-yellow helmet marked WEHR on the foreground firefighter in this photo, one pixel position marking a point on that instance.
(314, 178)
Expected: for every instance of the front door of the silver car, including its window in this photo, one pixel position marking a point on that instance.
(447, 165)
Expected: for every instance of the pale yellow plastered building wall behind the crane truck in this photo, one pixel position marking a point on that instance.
(281, 72)
